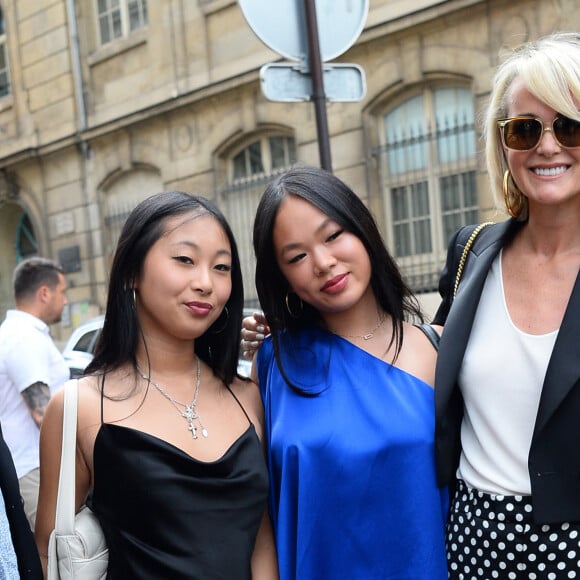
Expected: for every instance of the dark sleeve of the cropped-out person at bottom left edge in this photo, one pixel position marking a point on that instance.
(22, 538)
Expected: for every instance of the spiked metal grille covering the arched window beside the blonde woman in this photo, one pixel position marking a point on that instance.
(429, 190)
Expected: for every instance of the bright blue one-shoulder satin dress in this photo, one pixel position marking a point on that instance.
(352, 465)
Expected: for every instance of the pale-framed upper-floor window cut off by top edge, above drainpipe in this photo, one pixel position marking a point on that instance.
(118, 18)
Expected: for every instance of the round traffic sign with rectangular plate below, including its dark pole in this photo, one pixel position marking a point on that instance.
(310, 32)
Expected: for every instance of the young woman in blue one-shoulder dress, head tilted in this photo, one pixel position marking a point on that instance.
(347, 385)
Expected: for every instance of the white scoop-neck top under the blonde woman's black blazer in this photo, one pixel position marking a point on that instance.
(501, 381)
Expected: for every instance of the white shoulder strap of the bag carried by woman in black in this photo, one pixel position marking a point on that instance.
(65, 500)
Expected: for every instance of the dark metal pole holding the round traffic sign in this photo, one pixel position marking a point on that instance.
(318, 96)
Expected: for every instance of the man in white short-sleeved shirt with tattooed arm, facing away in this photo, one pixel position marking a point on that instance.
(31, 367)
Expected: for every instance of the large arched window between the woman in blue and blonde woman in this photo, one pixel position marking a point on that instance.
(428, 163)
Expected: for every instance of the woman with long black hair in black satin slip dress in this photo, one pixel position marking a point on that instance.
(167, 433)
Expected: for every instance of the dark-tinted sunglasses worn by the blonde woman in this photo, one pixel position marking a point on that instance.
(524, 133)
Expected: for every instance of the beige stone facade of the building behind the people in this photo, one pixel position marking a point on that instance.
(166, 106)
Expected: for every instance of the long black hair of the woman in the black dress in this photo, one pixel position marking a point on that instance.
(117, 345)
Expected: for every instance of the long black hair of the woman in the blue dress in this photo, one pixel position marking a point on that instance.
(336, 200)
